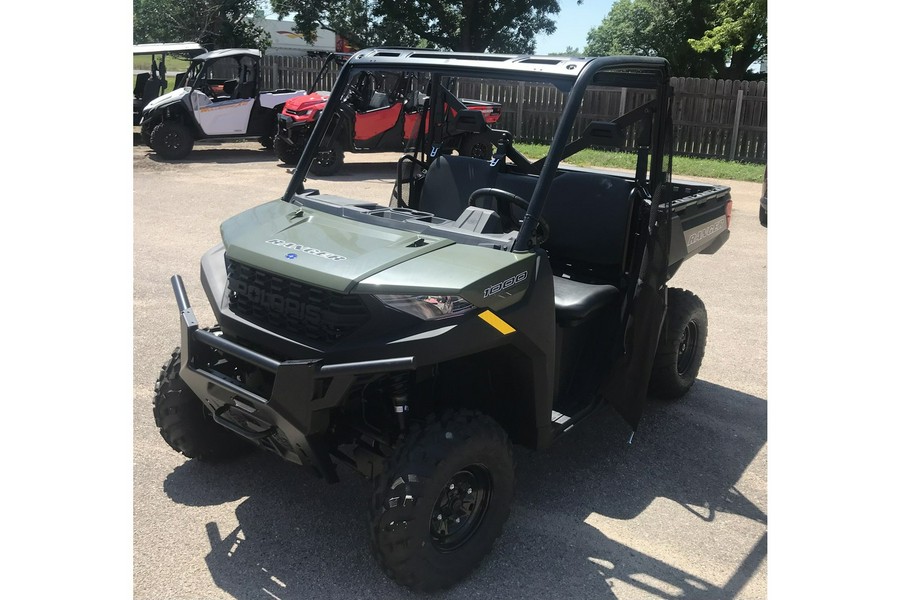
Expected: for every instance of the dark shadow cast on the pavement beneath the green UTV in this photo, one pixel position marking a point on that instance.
(298, 537)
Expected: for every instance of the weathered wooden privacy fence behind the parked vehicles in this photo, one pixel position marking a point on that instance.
(713, 118)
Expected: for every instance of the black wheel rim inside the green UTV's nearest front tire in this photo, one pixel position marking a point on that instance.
(460, 508)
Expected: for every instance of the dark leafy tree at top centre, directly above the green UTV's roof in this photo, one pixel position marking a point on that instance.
(461, 25)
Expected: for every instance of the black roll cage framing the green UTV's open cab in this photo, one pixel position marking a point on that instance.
(571, 75)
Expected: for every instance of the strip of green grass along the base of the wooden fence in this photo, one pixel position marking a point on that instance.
(682, 166)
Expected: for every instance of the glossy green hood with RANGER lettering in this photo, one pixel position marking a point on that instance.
(344, 255)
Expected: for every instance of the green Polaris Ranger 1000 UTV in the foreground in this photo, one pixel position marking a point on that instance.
(488, 302)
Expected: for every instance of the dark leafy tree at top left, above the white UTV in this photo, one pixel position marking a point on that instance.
(211, 23)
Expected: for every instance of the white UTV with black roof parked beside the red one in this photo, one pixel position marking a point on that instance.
(217, 98)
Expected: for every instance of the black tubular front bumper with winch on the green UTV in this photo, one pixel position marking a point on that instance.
(291, 414)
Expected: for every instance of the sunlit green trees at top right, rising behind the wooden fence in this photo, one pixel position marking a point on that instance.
(700, 38)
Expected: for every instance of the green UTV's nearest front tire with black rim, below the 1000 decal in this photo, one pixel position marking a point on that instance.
(442, 500)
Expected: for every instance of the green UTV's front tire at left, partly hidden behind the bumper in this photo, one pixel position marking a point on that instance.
(185, 424)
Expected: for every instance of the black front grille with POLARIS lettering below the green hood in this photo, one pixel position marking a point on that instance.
(292, 309)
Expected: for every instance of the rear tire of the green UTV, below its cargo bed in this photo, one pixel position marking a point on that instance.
(682, 344)
